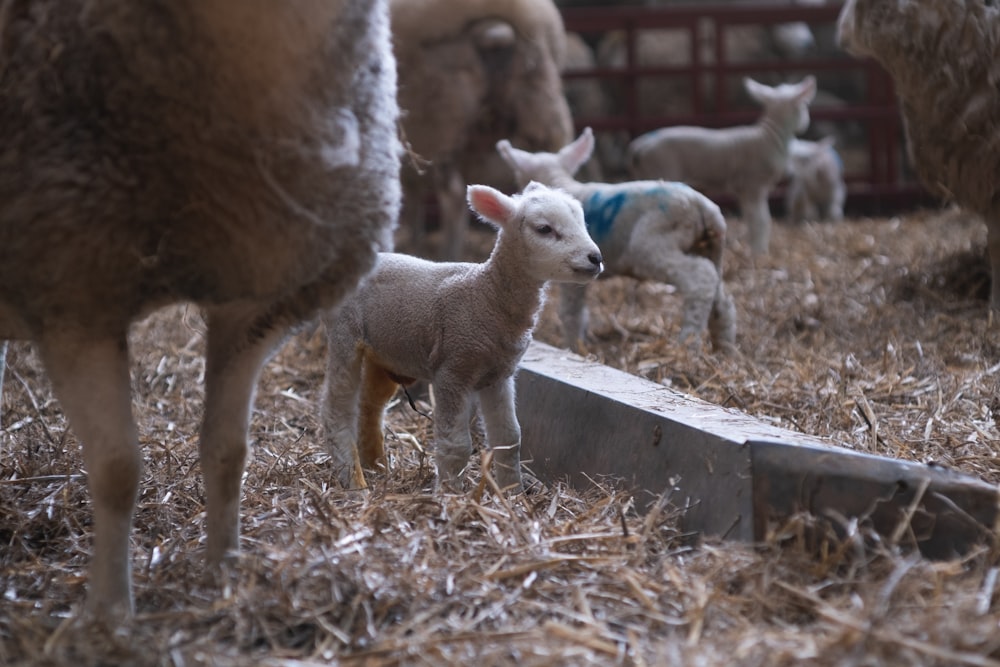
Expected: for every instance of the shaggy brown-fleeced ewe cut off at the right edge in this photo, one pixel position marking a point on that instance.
(941, 55)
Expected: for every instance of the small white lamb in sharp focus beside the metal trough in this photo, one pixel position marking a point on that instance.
(463, 327)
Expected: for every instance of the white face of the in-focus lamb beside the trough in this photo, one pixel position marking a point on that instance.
(555, 237)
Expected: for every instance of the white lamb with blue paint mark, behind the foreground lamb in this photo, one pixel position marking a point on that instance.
(649, 230)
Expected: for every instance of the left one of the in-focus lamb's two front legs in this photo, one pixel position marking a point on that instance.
(453, 442)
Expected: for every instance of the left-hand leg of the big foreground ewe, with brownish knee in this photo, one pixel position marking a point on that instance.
(91, 380)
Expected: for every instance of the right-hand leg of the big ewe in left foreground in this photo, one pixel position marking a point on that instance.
(235, 354)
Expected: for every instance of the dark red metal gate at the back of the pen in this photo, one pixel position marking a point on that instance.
(879, 183)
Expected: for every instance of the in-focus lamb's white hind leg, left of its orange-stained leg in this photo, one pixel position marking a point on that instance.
(339, 405)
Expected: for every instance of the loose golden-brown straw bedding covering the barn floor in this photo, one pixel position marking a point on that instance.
(872, 333)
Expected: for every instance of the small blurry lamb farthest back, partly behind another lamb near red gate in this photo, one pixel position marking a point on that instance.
(816, 189)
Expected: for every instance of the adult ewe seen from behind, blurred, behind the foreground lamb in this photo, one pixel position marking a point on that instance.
(472, 72)
